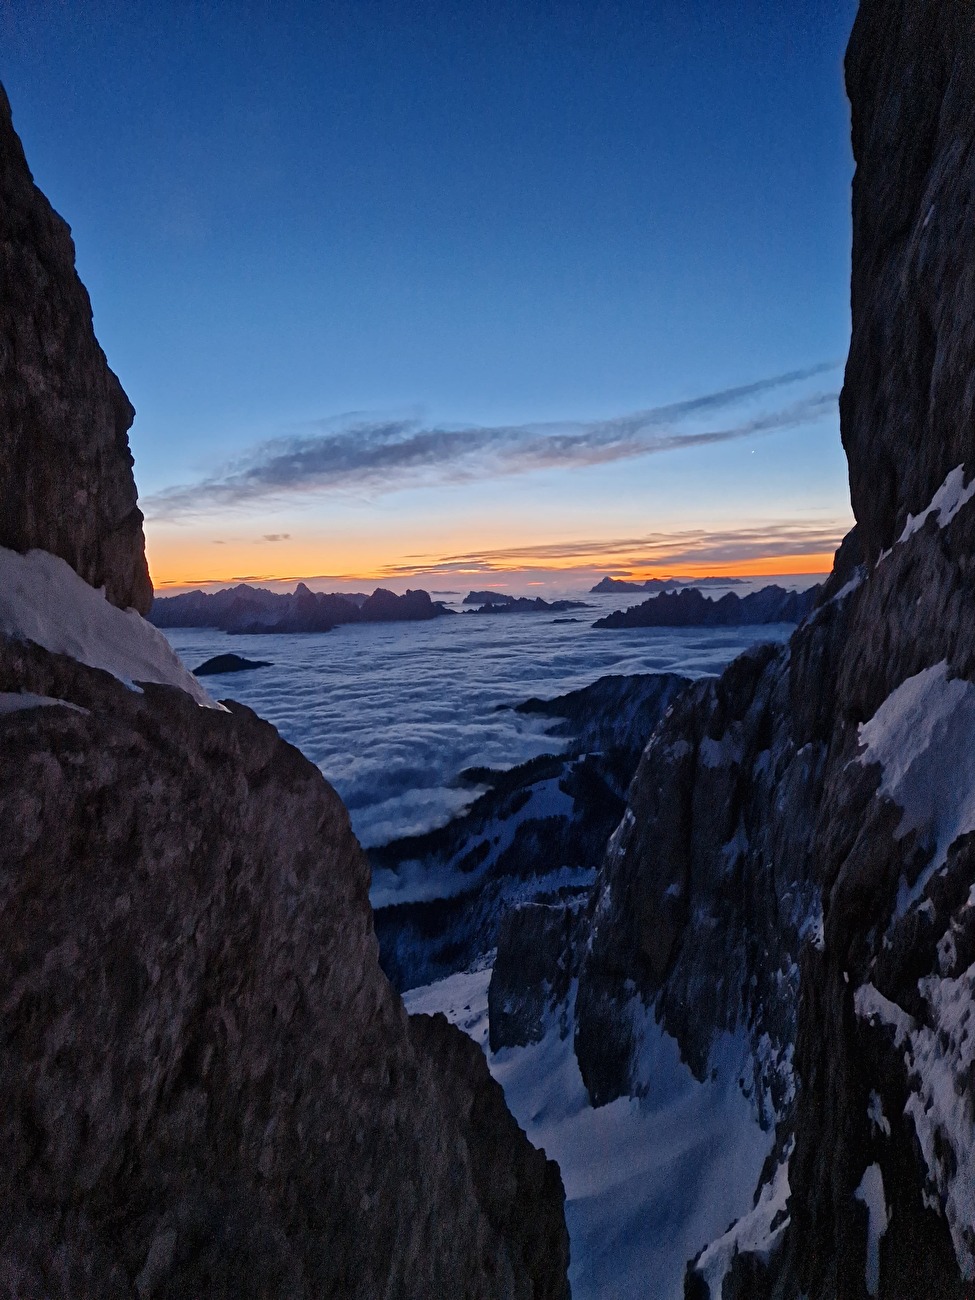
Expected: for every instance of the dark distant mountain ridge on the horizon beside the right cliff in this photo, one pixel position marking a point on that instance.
(691, 609)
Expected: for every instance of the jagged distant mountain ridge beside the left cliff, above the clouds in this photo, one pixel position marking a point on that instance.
(249, 610)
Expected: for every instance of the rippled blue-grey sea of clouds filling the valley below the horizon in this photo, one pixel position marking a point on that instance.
(395, 713)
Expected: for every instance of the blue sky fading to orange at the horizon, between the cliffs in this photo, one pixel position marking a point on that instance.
(434, 293)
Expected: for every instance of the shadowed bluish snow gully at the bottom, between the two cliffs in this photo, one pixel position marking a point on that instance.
(648, 1182)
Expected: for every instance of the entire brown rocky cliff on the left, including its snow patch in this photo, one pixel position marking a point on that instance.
(209, 1086)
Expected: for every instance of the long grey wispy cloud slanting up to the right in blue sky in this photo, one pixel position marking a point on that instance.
(385, 456)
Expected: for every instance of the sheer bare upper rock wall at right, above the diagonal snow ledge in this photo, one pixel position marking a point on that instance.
(909, 398)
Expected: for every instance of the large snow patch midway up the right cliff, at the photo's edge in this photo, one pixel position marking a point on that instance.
(922, 739)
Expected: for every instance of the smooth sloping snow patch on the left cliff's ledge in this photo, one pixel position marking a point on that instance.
(44, 600)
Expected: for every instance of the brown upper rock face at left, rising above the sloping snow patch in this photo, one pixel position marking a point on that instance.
(66, 470)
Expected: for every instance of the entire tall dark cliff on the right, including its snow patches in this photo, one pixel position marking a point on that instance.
(794, 883)
